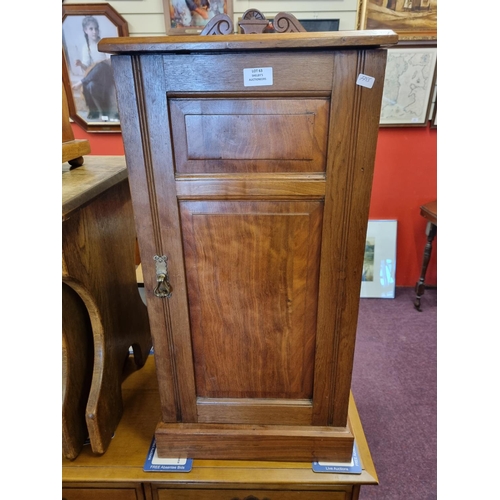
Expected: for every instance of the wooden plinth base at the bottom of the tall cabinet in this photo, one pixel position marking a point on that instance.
(254, 442)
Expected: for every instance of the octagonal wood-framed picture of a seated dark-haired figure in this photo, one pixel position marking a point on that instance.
(87, 73)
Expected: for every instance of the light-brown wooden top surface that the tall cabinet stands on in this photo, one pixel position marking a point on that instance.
(122, 465)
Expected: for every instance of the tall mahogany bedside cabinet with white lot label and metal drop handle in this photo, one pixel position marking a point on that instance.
(250, 164)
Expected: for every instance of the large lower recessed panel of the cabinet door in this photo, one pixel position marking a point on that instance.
(252, 274)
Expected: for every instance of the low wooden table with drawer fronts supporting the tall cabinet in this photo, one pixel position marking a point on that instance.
(119, 473)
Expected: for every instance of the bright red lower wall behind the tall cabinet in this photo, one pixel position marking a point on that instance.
(405, 178)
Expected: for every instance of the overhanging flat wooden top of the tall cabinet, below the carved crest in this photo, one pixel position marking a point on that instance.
(268, 41)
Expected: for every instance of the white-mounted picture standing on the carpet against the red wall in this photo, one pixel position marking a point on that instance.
(379, 267)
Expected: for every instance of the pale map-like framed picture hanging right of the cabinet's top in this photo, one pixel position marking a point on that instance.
(409, 82)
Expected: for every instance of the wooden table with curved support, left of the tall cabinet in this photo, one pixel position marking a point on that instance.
(103, 314)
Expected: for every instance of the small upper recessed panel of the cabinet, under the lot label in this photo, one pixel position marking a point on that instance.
(249, 135)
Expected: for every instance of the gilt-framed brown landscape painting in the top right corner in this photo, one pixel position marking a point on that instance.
(410, 19)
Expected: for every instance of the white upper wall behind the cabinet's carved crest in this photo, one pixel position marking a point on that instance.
(146, 18)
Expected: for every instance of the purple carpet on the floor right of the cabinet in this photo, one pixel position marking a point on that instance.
(395, 387)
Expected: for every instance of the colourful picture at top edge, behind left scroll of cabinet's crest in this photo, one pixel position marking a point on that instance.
(189, 17)
